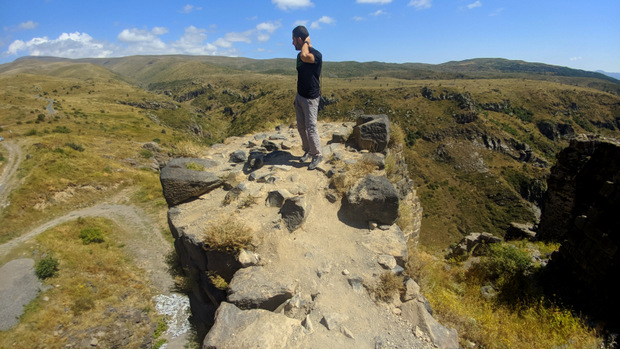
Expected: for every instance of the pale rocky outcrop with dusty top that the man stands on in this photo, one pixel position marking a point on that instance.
(300, 282)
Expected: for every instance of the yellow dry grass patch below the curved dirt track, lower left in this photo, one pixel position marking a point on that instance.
(91, 280)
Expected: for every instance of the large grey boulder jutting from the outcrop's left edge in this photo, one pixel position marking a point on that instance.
(186, 178)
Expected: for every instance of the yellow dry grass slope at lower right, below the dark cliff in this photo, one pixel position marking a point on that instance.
(457, 303)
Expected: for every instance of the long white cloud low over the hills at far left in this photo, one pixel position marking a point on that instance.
(70, 45)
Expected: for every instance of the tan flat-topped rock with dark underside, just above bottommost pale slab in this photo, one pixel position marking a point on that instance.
(255, 287)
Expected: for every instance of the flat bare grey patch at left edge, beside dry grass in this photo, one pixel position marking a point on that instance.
(18, 287)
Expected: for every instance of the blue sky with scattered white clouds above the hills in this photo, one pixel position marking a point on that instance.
(577, 34)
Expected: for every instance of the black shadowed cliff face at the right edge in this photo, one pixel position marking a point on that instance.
(581, 211)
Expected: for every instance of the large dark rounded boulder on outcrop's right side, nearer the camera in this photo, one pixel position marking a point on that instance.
(373, 198)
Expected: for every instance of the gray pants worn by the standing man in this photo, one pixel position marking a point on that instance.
(307, 111)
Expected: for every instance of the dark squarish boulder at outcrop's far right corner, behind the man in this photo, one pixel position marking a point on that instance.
(372, 132)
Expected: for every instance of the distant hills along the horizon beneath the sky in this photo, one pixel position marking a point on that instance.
(150, 69)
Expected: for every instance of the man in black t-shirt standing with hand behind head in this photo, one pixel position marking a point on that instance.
(309, 63)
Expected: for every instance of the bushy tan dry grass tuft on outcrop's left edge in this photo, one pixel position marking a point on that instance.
(228, 235)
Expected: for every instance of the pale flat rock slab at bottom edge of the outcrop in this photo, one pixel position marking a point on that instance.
(257, 328)
